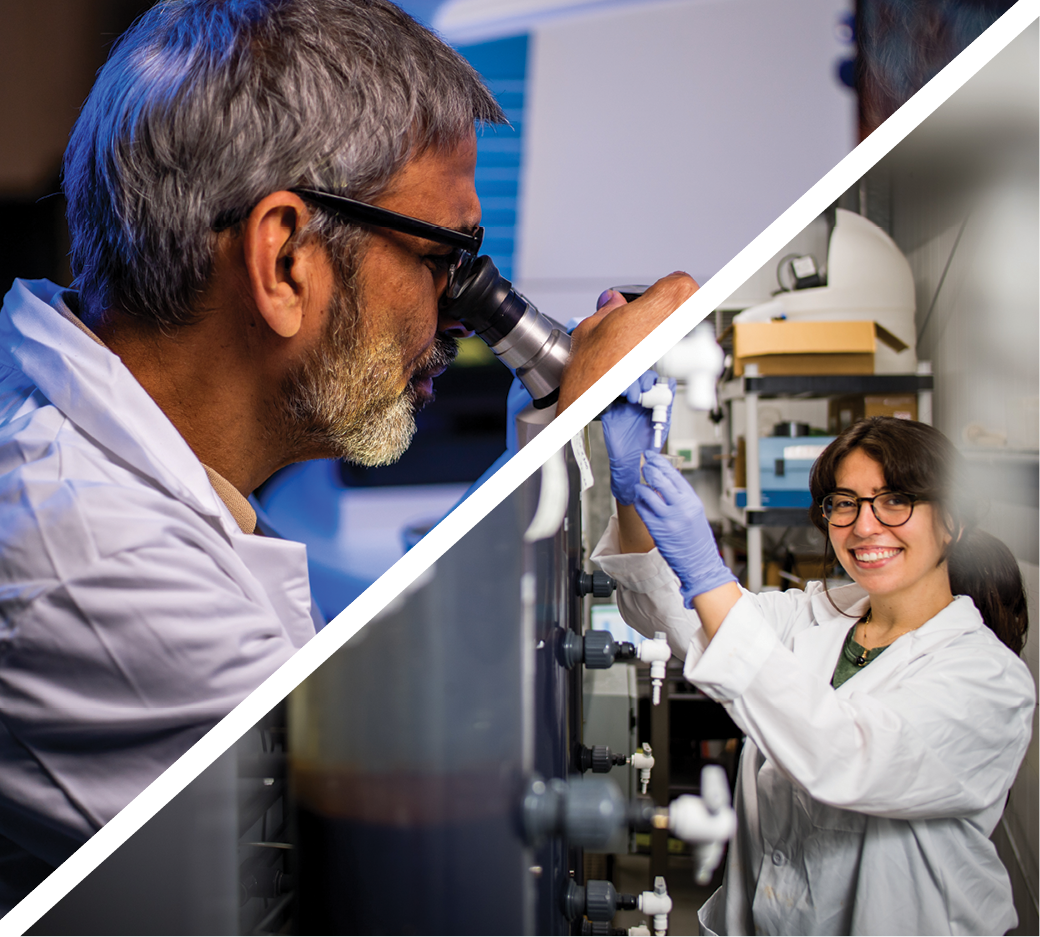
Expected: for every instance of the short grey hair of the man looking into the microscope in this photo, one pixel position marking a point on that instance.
(206, 107)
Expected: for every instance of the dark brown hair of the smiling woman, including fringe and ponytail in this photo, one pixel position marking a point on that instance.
(919, 460)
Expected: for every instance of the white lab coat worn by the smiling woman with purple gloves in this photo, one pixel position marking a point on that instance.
(865, 810)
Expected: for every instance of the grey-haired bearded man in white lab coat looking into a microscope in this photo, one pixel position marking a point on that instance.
(227, 324)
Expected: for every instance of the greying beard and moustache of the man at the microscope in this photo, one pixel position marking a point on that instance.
(344, 400)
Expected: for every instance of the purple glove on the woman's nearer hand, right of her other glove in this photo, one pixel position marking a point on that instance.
(675, 518)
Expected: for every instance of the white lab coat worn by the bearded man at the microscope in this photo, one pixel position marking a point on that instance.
(135, 613)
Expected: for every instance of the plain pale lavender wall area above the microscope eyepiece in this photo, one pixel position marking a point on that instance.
(667, 136)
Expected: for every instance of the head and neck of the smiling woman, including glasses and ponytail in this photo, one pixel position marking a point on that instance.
(927, 549)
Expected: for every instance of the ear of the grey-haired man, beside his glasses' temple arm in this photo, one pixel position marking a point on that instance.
(281, 271)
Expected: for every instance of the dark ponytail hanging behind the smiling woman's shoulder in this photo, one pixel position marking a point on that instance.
(983, 568)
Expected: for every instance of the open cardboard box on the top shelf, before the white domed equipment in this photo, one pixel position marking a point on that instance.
(792, 348)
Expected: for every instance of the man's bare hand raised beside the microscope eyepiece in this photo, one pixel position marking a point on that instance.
(604, 340)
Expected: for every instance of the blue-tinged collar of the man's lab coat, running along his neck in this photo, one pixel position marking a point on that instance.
(97, 393)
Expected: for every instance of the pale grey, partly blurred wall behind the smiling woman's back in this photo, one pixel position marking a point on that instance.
(965, 210)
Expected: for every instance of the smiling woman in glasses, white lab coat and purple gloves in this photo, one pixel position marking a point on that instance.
(886, 720)
